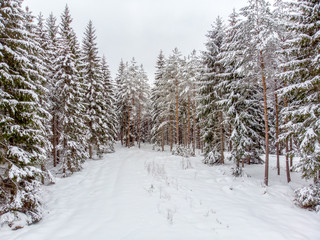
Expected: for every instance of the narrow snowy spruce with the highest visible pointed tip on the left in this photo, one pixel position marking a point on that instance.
(73, 131)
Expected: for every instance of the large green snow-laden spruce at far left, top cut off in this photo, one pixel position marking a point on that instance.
(22, 140)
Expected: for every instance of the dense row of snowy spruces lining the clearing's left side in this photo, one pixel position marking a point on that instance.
(57, 106)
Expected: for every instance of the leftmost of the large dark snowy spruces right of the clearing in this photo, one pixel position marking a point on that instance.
(211, 112)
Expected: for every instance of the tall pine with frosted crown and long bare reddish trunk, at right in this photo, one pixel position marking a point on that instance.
(257, 34)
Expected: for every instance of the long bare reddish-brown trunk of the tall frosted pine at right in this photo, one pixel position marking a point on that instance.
(266, 174)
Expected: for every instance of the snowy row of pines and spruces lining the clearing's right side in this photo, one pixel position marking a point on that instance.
(253, 91)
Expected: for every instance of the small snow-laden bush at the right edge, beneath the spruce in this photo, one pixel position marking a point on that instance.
(309, 197)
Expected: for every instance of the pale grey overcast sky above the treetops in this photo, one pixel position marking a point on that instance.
(140, 28)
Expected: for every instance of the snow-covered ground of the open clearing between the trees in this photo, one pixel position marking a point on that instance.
(140, 194)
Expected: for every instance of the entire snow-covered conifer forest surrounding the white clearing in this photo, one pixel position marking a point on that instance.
(253, 93)
